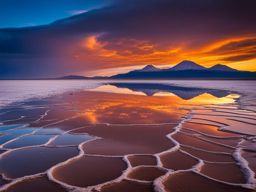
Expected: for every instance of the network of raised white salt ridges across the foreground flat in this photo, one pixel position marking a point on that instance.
(158, 183)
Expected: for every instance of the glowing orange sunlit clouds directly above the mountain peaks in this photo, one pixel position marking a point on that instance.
(124, 55)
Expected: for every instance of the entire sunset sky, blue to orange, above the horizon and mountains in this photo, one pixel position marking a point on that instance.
(52, 38)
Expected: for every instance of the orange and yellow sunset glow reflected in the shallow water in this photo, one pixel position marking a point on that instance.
(102, 107)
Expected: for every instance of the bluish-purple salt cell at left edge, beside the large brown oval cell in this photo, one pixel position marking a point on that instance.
(33, 160)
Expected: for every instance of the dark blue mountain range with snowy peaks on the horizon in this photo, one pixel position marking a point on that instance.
(187, 70)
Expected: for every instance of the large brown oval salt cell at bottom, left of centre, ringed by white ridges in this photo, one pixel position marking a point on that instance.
(95, 170)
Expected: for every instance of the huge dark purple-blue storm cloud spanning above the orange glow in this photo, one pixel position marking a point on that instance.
(163, 22)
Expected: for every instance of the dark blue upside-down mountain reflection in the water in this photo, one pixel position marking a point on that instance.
(183, 92)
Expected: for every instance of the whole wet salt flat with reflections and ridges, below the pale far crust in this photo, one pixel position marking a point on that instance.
(98, 140)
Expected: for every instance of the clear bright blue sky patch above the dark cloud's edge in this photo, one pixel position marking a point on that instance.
(23, 13)
